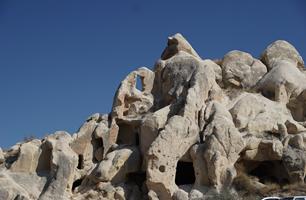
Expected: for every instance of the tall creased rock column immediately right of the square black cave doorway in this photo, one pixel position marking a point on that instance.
(224, 144)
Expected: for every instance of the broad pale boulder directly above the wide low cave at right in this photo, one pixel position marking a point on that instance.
(263, 116)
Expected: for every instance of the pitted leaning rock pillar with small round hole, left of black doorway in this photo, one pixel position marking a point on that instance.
(162, 160)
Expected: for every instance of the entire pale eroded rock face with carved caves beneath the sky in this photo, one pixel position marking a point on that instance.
(192, 126)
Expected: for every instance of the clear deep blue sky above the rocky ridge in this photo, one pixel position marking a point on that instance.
(61, 60)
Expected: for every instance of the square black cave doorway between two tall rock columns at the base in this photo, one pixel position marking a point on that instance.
(184, 173)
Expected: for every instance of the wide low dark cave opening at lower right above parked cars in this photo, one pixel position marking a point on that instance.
(270, 172)
